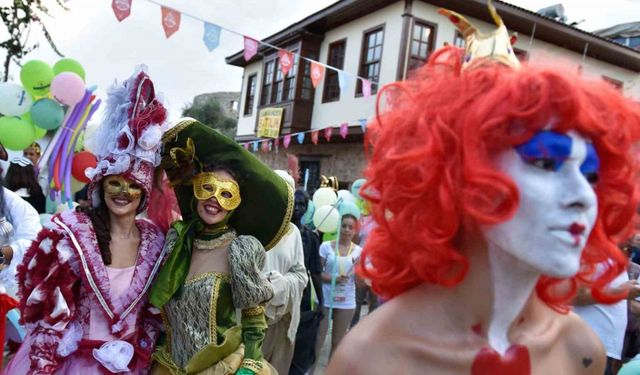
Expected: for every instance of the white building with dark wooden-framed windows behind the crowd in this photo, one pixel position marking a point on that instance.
(382, 40)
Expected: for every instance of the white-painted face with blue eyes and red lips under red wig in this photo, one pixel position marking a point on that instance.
(558, 205)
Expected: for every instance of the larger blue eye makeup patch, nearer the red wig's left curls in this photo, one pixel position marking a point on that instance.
(547, 150)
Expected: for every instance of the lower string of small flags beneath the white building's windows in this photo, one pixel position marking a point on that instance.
(268, 144)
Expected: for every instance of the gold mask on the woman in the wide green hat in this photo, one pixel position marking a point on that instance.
(208, 184)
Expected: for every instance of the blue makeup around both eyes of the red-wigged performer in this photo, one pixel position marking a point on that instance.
(548, 150)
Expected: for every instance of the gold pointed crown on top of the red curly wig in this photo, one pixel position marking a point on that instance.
(494, 46)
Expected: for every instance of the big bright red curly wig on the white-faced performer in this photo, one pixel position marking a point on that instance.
(430, 174)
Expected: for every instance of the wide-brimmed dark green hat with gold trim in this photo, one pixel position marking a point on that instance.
(267, 200)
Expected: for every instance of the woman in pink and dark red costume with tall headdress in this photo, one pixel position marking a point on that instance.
(84, 281)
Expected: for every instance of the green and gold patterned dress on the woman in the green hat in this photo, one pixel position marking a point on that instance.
(201, 324)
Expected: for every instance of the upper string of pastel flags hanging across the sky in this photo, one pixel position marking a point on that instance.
(171, 19)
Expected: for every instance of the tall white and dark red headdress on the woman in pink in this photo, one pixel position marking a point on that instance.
(128, 140)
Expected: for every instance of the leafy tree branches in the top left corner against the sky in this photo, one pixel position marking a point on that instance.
(18, 19)
